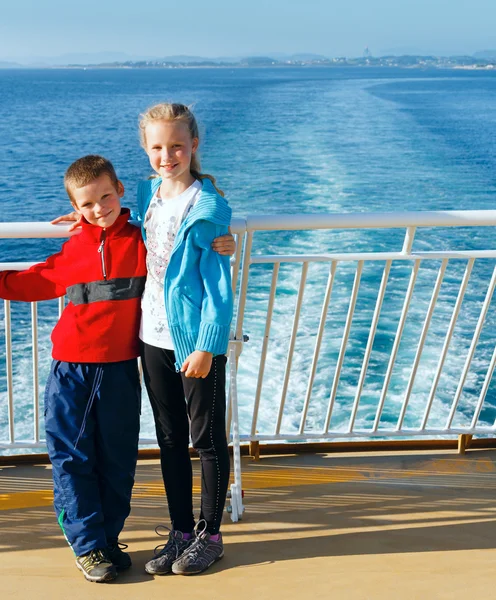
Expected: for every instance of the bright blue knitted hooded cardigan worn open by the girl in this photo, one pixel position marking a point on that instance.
(197, 285)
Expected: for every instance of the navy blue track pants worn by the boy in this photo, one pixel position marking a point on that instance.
(92, 413)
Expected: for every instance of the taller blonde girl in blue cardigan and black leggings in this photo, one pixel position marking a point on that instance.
(185, 324)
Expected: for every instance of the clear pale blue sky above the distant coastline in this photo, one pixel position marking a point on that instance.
(33, 29)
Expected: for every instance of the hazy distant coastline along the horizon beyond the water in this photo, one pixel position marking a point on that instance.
(480, 61)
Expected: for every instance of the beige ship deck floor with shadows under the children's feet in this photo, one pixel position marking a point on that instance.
(402, 526)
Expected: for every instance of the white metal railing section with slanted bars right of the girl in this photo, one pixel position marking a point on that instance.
(410, 222)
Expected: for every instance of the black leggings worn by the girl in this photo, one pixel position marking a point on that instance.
(206, 408)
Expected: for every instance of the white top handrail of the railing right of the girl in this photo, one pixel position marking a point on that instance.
(375, 220)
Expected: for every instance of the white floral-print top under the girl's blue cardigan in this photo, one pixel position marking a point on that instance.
(162, 222)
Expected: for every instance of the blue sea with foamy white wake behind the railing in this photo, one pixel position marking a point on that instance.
(284, 140)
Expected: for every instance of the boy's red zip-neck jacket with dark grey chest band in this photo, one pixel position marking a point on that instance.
(103, 273)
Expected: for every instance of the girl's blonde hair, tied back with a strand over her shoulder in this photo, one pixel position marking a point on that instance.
(176, 112)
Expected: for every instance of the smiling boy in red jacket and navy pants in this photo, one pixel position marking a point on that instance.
(93, 394)
